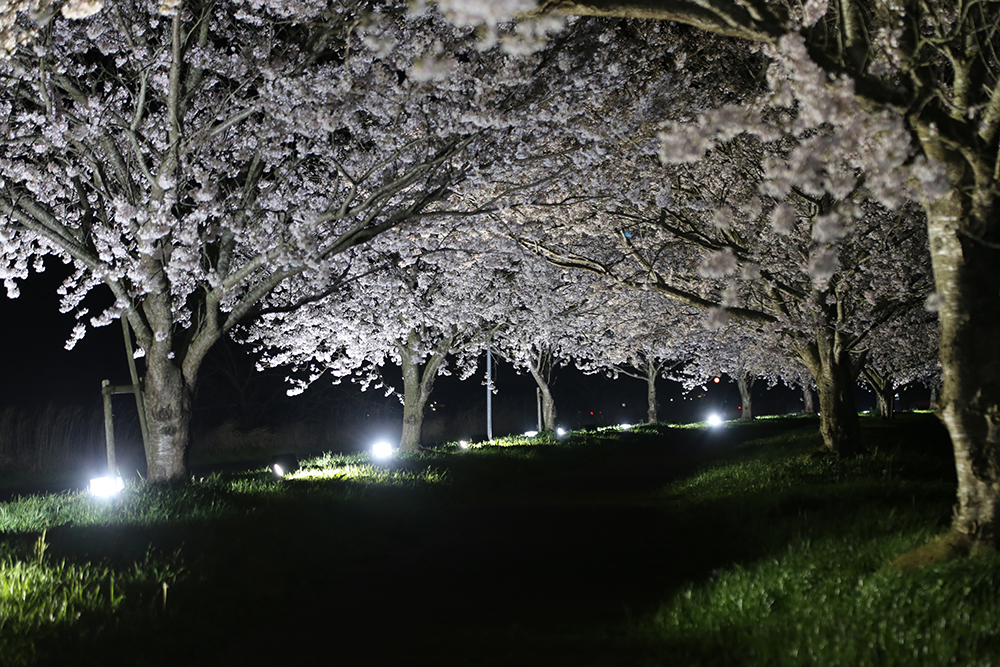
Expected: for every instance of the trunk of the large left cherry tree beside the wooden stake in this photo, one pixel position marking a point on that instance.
(168, 413)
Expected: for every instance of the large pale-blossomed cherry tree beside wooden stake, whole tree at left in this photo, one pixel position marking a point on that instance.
(201, 159)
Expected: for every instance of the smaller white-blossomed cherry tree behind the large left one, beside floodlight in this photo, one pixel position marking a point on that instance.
(430, 312)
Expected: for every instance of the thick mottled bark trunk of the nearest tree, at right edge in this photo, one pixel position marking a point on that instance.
(965, 261)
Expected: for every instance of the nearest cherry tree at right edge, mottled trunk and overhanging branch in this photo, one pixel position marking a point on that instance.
(927, 67)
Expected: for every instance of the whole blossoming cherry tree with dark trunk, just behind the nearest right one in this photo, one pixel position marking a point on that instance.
(791, 271)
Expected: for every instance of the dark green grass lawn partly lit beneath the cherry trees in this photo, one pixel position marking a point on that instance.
(656, 546)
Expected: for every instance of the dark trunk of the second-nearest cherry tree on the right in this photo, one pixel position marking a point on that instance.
(830, 362)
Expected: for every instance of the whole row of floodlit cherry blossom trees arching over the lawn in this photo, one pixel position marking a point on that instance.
(359, 183)
